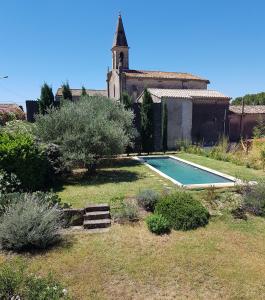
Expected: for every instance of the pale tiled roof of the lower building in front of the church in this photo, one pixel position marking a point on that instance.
(184, 94)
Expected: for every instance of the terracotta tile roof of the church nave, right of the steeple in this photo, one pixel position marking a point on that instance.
(162, 75)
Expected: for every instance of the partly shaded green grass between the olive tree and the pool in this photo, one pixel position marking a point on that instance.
(126, 177)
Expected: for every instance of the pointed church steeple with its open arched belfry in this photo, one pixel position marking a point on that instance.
(120, 49)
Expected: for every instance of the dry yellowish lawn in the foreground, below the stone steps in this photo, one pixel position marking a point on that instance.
(226, 259)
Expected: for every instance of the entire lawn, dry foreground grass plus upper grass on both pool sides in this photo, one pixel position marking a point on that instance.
(226, 259)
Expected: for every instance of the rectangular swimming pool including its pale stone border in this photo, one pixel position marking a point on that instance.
(187, 174)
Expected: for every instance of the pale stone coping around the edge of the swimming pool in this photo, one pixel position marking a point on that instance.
(235, 180)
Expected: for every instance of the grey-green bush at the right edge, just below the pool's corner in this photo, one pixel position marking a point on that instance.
(254, 199)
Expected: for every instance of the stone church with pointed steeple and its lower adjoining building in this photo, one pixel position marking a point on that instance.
(194, 112)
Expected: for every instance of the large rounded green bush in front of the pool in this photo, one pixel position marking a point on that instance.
(182, 211)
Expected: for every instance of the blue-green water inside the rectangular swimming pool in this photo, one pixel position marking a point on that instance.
(184, 173)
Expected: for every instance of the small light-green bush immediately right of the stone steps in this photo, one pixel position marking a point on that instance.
(124, 210)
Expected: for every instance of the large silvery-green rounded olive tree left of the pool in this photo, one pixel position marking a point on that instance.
(87, 130)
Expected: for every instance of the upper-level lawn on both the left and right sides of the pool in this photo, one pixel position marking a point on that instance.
(126, 177)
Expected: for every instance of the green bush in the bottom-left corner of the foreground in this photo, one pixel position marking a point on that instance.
(16, 283)
